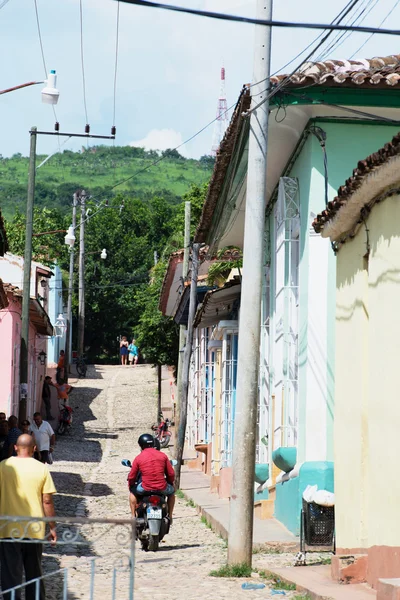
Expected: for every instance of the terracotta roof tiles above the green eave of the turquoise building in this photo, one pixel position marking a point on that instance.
(379, 71)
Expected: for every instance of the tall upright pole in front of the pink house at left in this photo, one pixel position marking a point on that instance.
(26, 290)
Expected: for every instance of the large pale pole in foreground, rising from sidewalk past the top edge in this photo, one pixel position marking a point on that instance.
(241, 508)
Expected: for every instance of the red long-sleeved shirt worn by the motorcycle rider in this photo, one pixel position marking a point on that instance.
(155, 468)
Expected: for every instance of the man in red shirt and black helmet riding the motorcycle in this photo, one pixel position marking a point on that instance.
(156, 472)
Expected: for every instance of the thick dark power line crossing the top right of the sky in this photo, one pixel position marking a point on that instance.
(266, 23)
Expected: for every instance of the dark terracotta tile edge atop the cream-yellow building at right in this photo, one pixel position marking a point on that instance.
(353, 183)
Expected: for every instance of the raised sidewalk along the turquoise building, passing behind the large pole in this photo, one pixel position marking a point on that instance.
(267, 533)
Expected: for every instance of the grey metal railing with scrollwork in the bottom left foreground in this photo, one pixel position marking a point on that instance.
(93, 555)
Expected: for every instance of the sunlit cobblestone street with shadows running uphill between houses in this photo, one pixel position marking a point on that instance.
(112, 407)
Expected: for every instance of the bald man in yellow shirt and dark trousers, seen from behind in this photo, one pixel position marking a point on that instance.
(26, 490)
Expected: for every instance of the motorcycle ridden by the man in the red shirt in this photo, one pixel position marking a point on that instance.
(152, 522)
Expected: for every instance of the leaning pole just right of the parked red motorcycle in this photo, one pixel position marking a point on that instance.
(186, 364)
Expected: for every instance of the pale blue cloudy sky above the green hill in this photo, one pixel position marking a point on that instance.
(168, 66)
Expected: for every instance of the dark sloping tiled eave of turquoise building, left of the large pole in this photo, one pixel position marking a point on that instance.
(223, 159)
